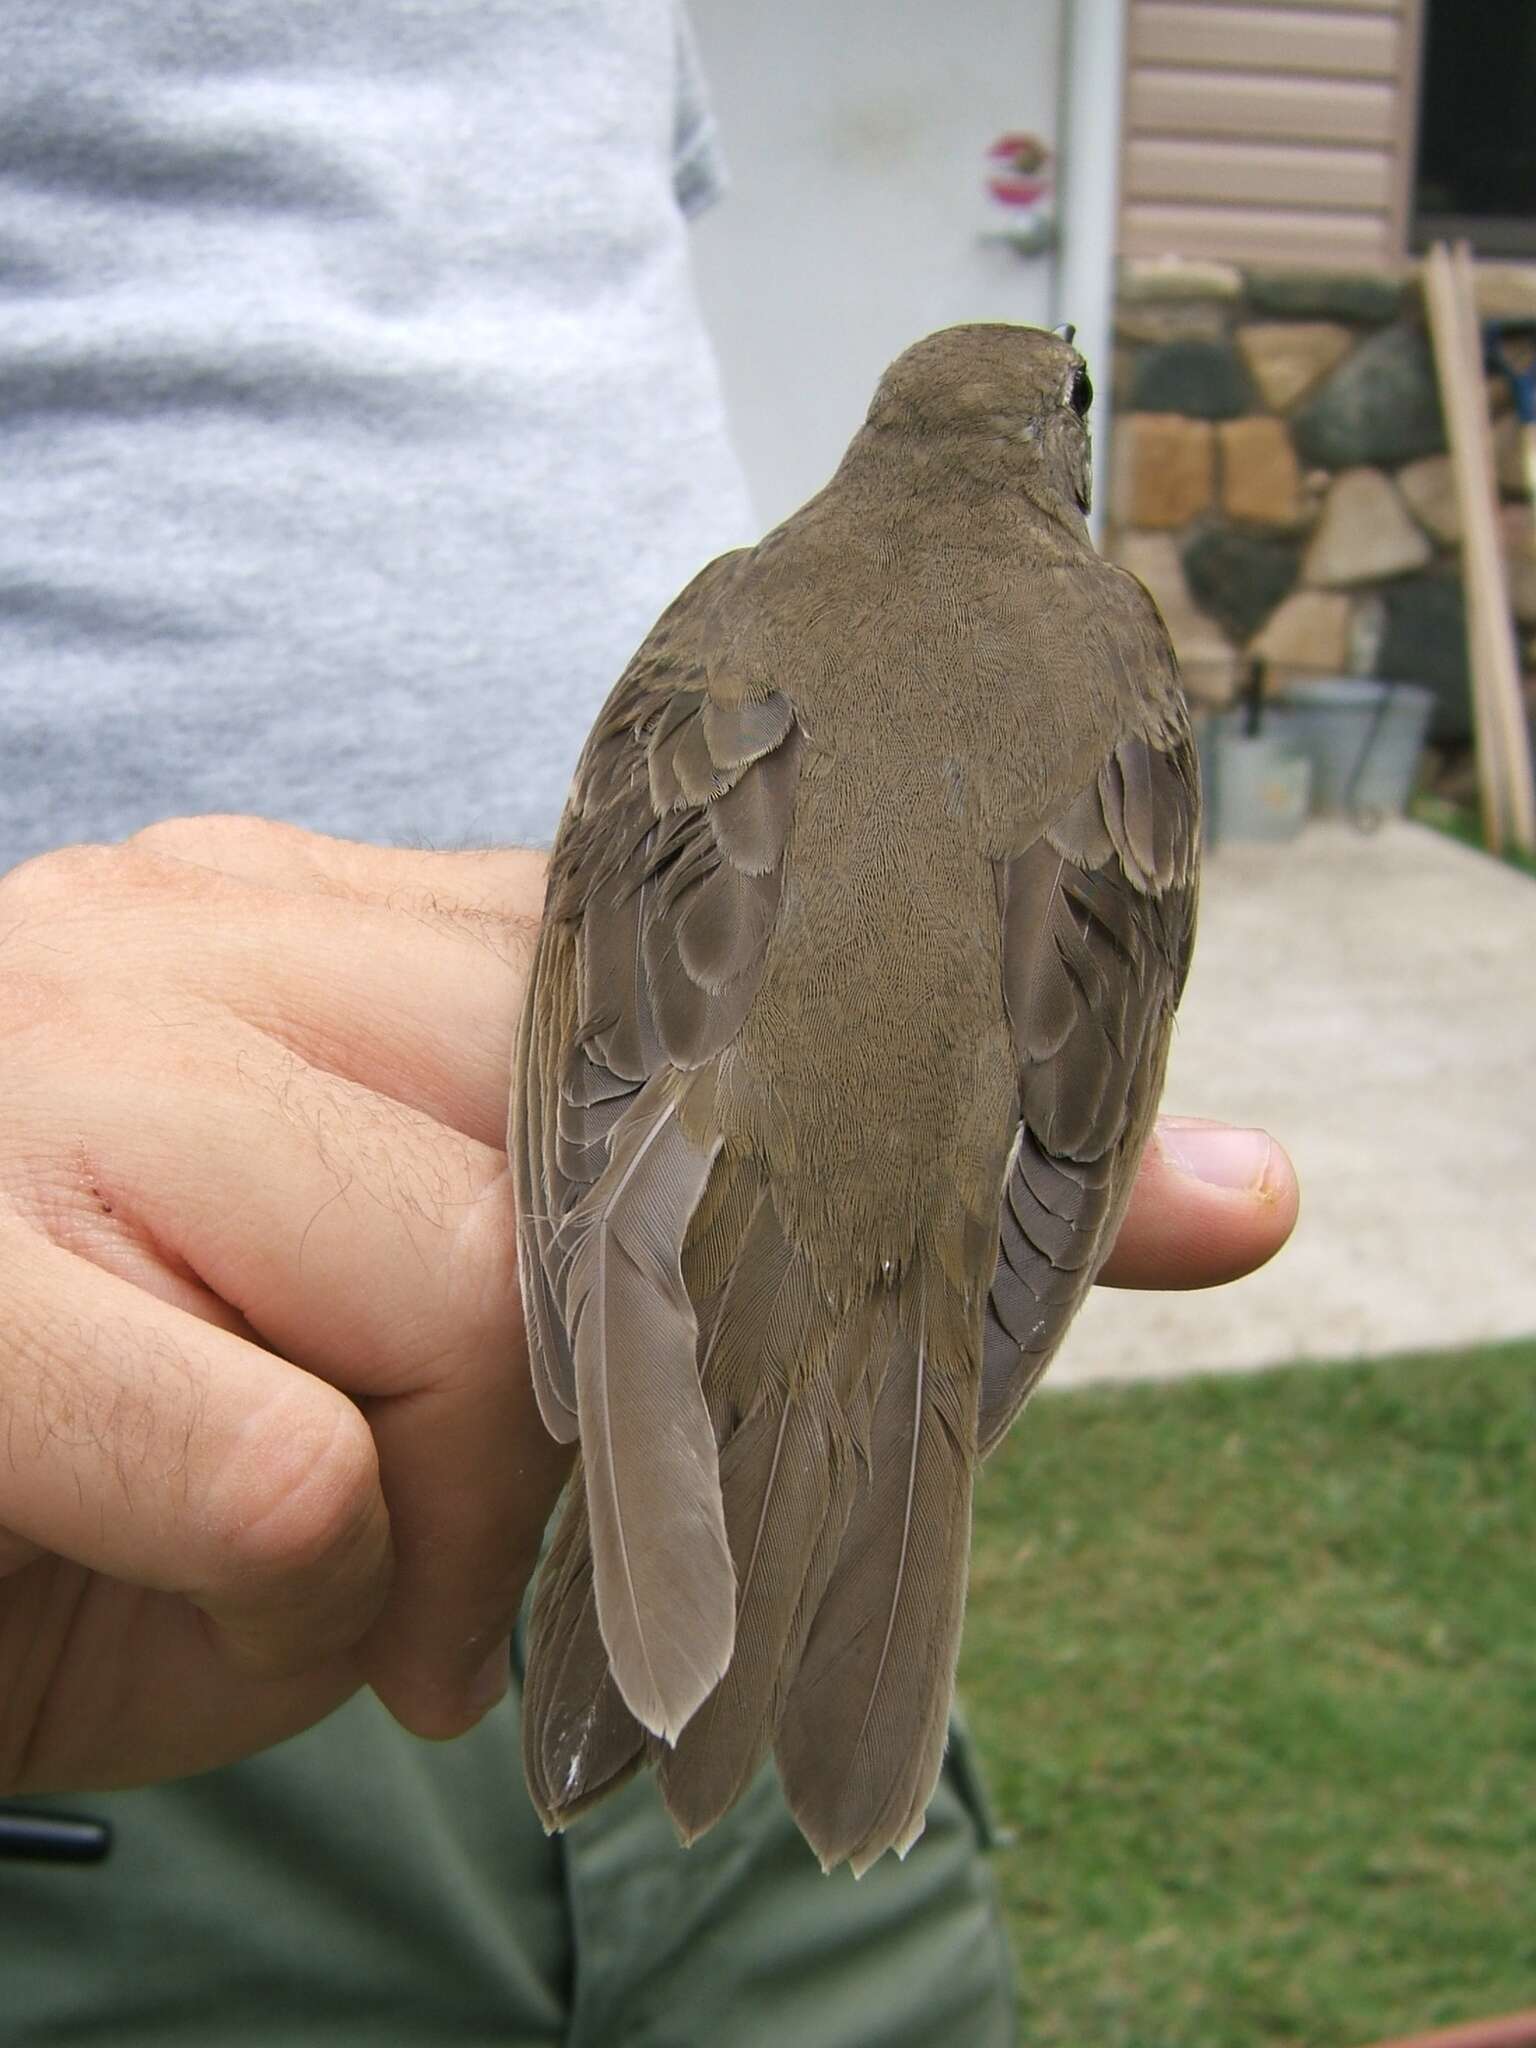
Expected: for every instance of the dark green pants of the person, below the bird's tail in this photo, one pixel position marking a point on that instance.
(364, 1887)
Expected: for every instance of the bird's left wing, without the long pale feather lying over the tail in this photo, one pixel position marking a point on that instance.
(663, 894)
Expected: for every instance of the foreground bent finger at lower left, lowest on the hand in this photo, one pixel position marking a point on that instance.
(169, 1453)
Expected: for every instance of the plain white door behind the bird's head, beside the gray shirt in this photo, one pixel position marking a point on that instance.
(857, 136)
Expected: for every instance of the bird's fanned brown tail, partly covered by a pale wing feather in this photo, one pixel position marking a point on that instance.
(847, 1439)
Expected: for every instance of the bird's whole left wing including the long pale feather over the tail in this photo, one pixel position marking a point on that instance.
(663, 898)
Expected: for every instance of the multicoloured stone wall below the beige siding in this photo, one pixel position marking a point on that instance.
(1279, 476)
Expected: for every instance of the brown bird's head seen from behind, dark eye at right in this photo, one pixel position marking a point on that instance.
(1009, 402)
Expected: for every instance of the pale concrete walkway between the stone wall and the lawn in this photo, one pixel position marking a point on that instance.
(1371, 1000)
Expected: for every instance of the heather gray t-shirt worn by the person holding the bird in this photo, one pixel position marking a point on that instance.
(355, 411)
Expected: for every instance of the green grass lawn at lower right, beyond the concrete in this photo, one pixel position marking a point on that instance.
(1252, 1664)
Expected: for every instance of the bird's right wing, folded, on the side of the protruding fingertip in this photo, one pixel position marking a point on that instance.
(1099, 925)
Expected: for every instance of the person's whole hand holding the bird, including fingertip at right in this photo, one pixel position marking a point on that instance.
(267, 1418)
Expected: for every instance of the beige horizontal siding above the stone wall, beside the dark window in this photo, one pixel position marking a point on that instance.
(1267, 134)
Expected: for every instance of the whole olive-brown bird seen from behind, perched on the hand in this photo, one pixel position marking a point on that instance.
(865, 929)
